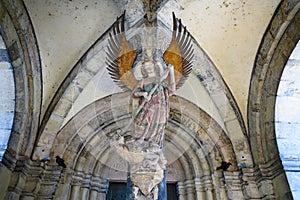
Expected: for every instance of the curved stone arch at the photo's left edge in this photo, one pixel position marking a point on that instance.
(19, 37)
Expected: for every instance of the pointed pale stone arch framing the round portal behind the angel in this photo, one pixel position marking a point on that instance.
(92, 63)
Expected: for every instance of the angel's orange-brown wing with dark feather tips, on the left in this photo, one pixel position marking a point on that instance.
(120, 56)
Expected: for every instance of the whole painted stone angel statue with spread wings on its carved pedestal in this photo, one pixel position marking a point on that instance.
(160, 78)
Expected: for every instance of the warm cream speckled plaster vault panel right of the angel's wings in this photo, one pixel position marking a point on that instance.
(212, 23)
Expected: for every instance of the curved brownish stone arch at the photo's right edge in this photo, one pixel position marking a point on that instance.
(277, 44)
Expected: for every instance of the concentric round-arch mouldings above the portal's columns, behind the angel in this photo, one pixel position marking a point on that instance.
(193, 139)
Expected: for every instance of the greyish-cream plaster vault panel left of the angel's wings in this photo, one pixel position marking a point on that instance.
(65, 30)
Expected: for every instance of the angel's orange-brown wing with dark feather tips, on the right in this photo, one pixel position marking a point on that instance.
(180, 52)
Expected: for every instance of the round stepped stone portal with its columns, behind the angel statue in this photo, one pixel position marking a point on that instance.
(197, 140)
